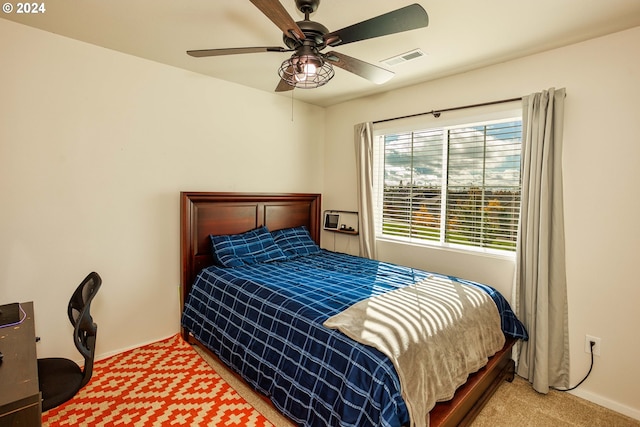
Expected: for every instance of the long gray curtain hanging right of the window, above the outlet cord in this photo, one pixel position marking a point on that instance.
(540, 281)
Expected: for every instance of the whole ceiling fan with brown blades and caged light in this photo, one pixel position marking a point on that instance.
(308, 67)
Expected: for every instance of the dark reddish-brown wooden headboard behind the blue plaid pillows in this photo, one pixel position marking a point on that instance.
(203, 213)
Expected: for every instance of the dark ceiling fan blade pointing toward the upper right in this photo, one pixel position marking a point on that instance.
(404, 19)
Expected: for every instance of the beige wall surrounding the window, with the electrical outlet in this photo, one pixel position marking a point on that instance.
(601, 153)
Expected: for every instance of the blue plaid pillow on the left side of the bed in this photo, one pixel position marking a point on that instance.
(252, 247)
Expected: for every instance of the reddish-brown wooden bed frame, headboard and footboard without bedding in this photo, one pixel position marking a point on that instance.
(205, 213)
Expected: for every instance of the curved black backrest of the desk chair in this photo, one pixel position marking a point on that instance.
(84, 329)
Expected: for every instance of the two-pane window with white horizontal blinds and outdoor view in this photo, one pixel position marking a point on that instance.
(454, 186)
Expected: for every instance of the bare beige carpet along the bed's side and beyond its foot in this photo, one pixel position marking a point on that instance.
(514, 404)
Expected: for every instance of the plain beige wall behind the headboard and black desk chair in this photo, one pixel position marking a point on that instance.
(95, 147)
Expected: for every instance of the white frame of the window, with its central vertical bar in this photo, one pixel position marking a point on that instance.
(496, 113)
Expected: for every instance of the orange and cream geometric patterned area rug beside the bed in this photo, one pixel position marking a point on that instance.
(162, 384)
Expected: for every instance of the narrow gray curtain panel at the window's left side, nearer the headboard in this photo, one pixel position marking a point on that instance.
(363, 138)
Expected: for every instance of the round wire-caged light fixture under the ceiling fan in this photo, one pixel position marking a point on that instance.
(306, 71)
